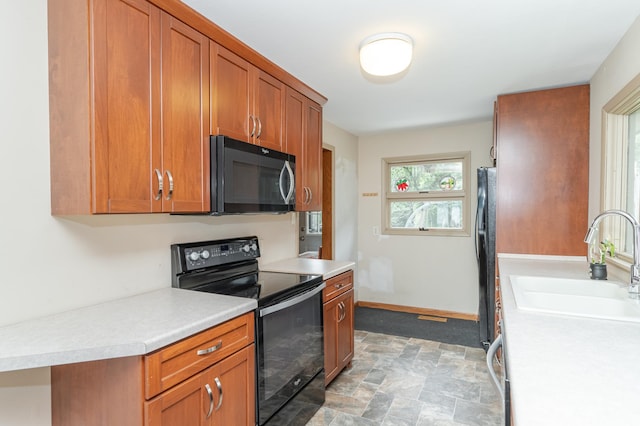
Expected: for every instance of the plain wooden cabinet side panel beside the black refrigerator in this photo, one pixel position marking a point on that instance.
(542, 149)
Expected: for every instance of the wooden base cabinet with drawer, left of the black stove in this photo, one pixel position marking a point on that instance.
(205, 379)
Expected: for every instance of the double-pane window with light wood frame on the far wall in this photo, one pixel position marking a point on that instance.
(427, 195)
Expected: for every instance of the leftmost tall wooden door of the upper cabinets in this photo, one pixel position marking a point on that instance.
(126, 68)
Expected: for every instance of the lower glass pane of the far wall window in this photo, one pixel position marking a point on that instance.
(426, 214)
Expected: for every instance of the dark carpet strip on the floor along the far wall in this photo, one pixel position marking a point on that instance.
(454, 331)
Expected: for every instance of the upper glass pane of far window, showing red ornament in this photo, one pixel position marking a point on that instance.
(426, 176)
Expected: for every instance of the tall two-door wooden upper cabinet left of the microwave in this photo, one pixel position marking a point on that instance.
(129, 102)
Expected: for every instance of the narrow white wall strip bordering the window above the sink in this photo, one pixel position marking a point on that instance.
(620, 67)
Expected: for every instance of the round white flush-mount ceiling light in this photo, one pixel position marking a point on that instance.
(386, 53)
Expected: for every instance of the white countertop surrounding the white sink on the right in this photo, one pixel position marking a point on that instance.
(567, 370)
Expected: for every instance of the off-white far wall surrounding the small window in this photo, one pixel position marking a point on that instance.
(418, 271)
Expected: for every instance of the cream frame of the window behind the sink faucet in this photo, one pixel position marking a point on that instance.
(614, 168)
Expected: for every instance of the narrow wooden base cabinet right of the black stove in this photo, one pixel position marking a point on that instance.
(338, 324)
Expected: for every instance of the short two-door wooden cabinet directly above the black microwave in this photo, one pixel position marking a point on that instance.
(247, 103)
